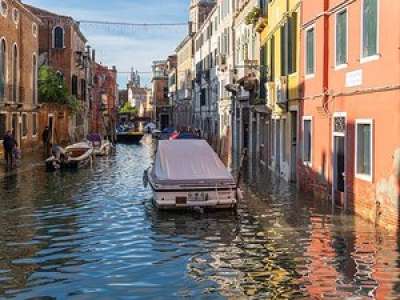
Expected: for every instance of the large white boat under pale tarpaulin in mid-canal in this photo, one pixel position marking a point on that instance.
(189, 174)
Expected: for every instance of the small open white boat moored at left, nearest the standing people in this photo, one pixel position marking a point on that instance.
(72, 157)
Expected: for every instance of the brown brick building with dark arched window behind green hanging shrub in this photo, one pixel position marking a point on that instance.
(62, 46)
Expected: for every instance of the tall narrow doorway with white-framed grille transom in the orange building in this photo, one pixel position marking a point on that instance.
(339, 161)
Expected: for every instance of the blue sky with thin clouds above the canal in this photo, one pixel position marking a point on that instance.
(122, 46)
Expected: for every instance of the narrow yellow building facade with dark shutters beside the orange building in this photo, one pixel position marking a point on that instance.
(280, 51)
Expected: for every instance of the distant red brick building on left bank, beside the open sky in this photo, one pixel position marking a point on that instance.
(103, 107)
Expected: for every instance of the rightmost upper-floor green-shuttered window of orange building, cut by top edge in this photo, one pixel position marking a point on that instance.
(370, 28)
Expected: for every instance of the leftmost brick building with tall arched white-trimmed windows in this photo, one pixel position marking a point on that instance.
(19, 30)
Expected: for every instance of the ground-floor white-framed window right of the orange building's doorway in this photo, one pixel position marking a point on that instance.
(364, 149)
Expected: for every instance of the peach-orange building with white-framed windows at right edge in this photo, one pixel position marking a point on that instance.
(350, 112)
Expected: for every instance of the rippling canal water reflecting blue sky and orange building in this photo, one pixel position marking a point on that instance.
(94, 234)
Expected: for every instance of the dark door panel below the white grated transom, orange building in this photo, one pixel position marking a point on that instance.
(339, 171)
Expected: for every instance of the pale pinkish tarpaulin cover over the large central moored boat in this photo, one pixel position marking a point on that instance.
(189, 162)
